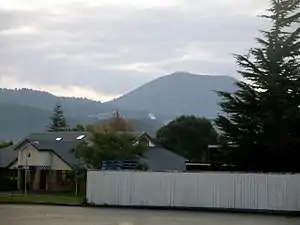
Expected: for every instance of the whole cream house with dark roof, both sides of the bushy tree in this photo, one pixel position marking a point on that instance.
(46, 159)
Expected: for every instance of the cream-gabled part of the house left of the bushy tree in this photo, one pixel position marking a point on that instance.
(46, 159)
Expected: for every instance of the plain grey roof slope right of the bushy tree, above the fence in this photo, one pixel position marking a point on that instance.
(160, 159)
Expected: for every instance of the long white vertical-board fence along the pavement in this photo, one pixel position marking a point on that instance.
(204, 190)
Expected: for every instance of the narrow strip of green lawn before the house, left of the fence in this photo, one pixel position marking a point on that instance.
(31, 198)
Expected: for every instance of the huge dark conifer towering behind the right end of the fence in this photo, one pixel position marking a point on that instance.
(262, 117)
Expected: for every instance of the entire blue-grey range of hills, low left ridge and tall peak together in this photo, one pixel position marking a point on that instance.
(148, 107)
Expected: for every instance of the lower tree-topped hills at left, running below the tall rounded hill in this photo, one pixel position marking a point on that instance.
(25, 111)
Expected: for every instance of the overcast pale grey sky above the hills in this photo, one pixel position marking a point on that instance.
(104, 48)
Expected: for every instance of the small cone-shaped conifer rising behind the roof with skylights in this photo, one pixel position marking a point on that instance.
(58, 120)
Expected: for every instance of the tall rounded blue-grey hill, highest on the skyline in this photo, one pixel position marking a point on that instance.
(177, 94)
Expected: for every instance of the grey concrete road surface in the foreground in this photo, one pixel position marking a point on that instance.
(57, 215)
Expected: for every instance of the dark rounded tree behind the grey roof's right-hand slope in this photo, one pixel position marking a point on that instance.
(188, 136)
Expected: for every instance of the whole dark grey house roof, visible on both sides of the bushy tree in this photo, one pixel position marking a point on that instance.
(157, 158)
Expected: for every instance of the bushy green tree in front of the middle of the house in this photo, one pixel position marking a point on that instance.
(108, 144)
